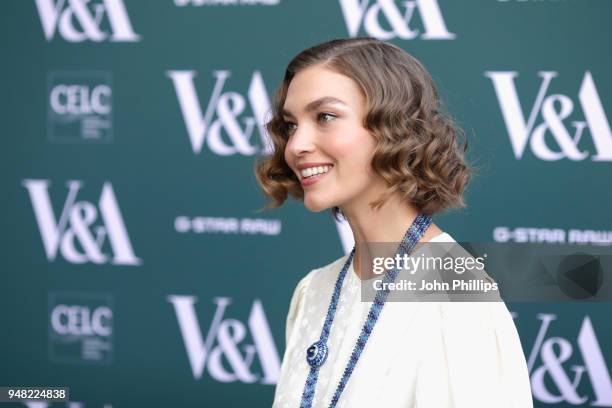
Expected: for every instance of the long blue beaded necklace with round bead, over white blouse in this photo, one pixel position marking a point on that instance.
(316, 354)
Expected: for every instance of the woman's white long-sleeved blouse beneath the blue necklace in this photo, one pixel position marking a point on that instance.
(419, 355)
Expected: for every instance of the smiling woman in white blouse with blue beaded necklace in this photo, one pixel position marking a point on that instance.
(357, 127)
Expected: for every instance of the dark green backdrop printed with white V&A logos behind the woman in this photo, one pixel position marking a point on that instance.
(137, 267)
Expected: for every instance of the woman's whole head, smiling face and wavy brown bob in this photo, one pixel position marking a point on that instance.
(361, 99)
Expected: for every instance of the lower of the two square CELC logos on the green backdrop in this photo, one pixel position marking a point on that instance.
(80, 327)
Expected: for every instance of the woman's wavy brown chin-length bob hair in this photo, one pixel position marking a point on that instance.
(417, 152)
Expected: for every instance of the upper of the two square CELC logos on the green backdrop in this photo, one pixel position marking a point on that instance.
(80, 106)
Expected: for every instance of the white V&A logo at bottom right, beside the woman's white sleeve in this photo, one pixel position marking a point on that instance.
(554, 353)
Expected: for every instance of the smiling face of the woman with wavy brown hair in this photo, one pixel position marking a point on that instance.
(324, 111)
